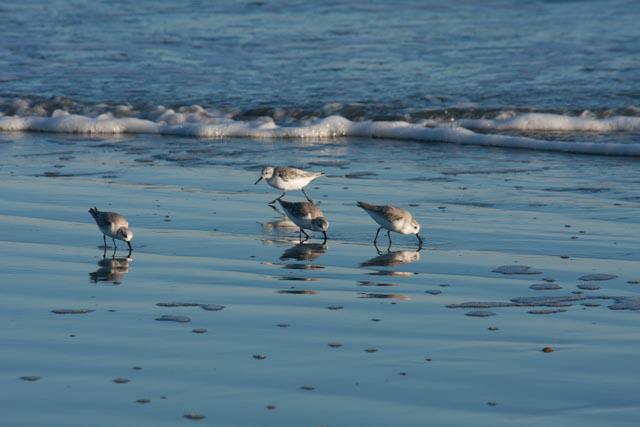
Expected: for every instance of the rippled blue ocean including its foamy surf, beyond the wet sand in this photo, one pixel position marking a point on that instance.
(548, 75)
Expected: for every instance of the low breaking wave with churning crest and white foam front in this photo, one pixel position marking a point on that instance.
(196, 121)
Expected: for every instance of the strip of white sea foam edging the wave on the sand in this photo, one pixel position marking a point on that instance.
(200, 123)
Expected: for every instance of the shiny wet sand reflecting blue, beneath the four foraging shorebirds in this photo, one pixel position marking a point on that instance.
(312, 334)
